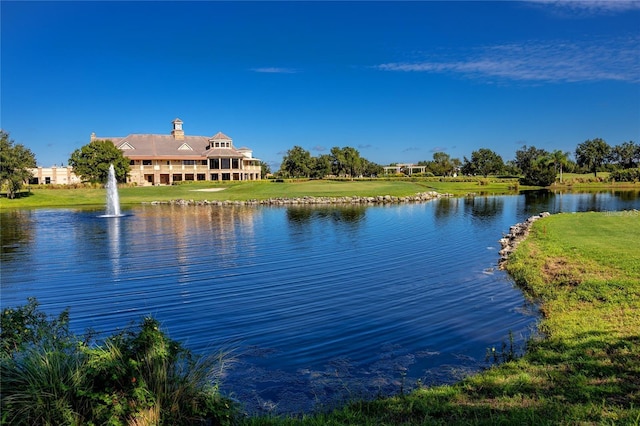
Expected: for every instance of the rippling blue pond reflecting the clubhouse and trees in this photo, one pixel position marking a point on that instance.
(322, 304)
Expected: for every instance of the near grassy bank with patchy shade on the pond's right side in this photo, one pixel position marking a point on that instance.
(584, 269)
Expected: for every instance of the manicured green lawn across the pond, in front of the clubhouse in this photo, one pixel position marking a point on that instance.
(256, 190)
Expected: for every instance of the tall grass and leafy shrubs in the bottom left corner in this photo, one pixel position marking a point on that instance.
(138, 376)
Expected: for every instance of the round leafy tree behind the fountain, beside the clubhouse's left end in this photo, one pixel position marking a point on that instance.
(91, 162)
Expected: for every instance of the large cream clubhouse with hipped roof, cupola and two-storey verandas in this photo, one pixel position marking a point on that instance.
(175, 157)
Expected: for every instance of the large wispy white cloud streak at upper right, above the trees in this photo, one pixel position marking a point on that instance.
(617, 60)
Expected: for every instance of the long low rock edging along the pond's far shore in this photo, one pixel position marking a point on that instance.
(380, 199)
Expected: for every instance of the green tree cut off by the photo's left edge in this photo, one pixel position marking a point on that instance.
(15, 162)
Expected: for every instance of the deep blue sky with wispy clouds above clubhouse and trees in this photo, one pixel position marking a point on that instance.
(396, 80)
